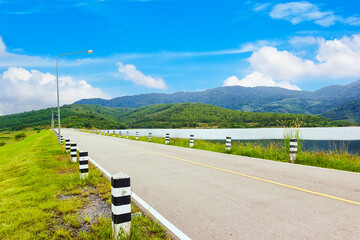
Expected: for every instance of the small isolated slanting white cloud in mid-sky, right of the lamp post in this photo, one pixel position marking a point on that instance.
(129, 72)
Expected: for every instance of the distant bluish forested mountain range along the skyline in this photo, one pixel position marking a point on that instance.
(258, 99)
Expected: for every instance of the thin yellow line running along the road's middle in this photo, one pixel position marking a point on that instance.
(243, 175)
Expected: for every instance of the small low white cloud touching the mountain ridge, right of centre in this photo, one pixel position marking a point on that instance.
(257, 79)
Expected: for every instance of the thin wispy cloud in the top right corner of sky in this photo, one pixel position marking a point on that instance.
(298, 12)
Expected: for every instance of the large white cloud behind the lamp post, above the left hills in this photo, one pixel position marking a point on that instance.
(22, 90)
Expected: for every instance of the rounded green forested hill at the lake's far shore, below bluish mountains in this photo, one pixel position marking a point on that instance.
(190, 115)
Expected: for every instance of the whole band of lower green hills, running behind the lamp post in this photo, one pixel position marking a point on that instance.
(186, 115)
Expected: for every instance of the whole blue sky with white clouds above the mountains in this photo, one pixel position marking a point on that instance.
(167, 46)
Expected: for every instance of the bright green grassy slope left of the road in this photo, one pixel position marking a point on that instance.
(42, 196)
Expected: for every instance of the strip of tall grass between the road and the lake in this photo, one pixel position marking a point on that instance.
(340, 160)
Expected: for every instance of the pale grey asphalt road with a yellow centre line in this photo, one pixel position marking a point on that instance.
(210, 195)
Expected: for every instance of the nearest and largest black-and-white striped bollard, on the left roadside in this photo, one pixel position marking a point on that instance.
(120, 204)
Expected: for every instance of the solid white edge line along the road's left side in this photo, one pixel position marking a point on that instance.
(171, 227)
